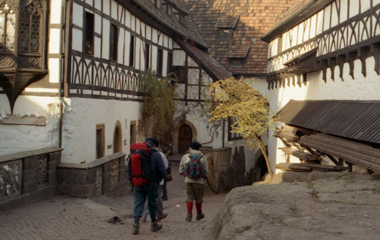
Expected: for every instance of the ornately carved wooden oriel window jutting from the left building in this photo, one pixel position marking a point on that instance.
(23, 42)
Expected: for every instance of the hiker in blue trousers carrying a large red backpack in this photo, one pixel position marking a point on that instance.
(146, 169)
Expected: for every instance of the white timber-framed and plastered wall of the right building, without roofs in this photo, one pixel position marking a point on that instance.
(331, 30)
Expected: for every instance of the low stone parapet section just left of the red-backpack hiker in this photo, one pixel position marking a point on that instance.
(105, 175)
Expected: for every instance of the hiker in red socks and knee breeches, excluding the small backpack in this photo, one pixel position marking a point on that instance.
(194, 187)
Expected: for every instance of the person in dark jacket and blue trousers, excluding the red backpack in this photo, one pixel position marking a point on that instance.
(150, 191)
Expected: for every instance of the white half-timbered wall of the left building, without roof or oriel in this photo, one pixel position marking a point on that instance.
(100, 91)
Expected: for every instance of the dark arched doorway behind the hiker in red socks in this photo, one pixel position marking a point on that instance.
(183, 136)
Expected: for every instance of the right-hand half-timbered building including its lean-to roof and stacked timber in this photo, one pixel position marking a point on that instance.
(323, 79)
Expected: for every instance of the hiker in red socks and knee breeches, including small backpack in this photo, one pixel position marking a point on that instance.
(194, 168)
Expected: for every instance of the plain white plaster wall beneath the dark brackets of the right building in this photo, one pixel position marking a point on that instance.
(359, 88)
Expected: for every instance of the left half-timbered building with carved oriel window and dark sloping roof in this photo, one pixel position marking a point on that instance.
(70, 77)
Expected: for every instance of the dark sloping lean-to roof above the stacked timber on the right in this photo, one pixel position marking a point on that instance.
(357, 120)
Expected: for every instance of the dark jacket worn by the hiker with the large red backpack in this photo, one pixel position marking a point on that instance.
(157, 169)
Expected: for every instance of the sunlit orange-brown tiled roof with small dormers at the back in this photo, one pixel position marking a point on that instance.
(255, 19)
